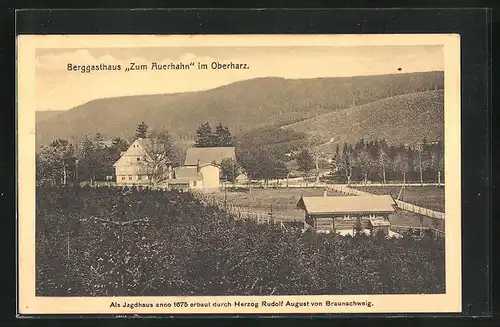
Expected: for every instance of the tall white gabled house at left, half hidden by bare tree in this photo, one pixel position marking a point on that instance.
(132, 167)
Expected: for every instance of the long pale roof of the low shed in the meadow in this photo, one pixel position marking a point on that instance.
(347, 204)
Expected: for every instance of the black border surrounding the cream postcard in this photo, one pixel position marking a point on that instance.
(473, 24)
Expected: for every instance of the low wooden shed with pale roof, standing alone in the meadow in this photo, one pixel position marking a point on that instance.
(344, 213)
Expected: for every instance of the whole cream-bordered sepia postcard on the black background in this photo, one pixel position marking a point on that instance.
(238, 174)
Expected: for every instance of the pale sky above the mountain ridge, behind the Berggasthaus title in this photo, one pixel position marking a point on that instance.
(60, 89)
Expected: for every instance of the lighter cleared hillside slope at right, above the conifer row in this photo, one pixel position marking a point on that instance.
(405, 118)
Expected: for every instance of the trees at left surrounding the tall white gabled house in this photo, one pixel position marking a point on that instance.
(64, 162)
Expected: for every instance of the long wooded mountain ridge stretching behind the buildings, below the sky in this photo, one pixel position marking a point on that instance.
(256, 104)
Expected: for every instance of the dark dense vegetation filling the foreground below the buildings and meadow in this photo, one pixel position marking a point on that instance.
(112, 242)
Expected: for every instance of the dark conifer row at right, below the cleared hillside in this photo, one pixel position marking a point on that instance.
(377, 160)
